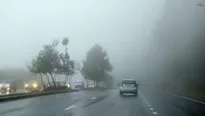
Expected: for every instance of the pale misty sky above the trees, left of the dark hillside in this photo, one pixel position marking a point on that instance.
(120, 26)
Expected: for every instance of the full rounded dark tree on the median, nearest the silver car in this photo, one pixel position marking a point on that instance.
(97, 64)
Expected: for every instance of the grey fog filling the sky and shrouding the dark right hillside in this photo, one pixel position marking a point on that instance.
(149, 40)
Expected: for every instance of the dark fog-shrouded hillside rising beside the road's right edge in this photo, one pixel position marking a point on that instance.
(176, 53)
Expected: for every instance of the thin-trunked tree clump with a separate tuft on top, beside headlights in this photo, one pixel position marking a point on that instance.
(50, 61)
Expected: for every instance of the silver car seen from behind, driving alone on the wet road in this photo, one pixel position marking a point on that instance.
(129, 86)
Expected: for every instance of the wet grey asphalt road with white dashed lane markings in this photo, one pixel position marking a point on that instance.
(103, 103)
